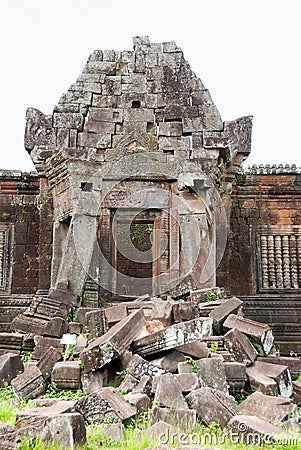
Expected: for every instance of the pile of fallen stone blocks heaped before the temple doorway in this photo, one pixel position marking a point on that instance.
(177, 360)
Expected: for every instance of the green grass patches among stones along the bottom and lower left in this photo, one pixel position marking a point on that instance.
(201, 436)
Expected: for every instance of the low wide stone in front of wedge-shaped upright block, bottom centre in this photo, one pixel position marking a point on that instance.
(182, 419)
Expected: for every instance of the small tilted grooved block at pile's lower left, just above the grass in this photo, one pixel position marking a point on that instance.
(29, 384)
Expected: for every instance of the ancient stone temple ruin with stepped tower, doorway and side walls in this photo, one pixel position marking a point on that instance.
(139, 189)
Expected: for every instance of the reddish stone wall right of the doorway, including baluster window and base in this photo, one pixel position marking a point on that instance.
(262, 262)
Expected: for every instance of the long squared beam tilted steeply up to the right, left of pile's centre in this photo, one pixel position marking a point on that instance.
(113, 343)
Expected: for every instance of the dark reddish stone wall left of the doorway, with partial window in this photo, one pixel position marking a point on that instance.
(25, 242)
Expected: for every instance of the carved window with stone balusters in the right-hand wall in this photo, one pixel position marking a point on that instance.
(278, 258)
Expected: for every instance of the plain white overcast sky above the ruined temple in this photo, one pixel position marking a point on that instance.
(246, 52)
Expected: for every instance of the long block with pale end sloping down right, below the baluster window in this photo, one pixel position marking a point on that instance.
(260, 334)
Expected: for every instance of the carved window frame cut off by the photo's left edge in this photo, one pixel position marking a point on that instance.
(6, 233)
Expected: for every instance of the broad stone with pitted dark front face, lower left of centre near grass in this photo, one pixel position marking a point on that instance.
(105, 405)
